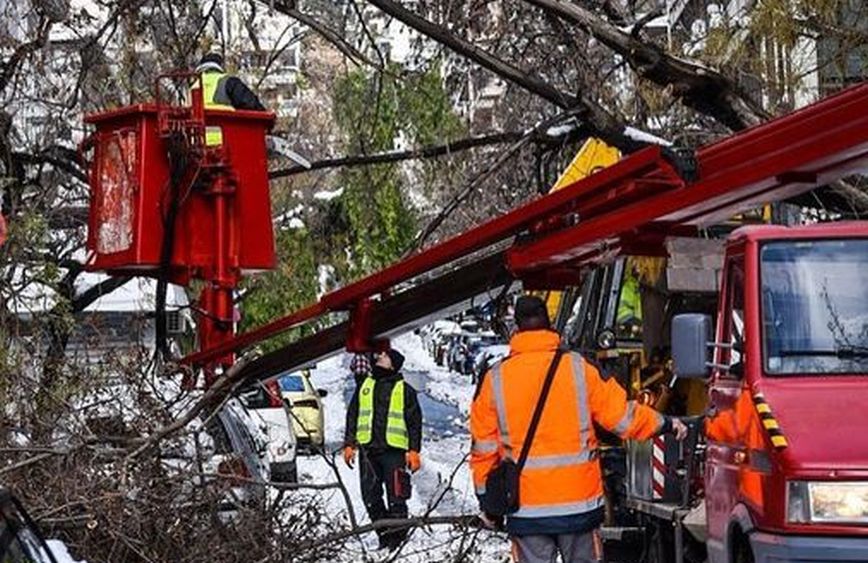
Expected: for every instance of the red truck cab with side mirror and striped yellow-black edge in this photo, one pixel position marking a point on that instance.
(786, 463)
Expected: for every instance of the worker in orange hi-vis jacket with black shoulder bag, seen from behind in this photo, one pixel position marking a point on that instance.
(561, 487)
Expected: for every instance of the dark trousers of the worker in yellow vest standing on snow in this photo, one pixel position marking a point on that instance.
(376, 469)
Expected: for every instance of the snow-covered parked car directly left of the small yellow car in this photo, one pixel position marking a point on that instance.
(272, 415)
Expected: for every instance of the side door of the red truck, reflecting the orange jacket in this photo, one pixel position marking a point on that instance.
(723, 435)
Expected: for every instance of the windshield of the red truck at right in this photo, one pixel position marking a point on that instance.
(815, 306)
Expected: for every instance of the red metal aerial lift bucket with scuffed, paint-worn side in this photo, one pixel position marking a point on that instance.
(130, 194)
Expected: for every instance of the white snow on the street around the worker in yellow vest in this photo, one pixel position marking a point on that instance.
(442, 486)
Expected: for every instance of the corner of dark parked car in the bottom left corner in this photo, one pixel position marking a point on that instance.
(20, 540)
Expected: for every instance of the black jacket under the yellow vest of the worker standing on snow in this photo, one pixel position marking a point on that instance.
(382, 395)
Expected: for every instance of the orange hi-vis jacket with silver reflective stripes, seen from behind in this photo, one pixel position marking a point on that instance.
(562, 475)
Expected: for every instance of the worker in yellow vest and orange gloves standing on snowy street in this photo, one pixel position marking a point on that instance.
(384, 425)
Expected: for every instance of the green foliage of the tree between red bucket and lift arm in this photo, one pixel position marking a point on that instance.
(373, 222)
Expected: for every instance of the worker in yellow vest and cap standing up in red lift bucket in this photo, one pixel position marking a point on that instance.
(222, 91)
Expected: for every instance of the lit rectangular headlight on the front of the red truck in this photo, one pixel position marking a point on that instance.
(820, 502)
